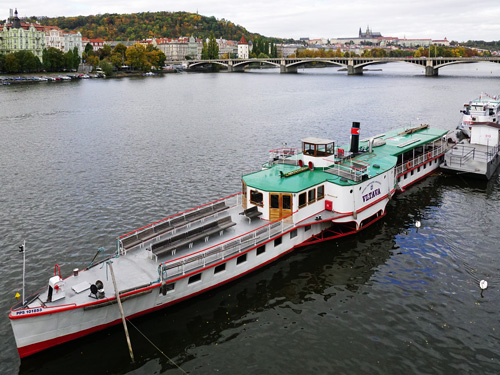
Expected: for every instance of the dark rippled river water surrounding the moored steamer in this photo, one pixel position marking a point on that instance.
(84, 162)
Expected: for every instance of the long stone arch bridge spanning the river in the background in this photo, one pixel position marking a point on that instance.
(354, 65)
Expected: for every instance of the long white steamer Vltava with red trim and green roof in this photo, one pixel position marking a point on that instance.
(298, 198)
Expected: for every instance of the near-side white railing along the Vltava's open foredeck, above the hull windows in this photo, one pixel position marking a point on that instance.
(201, 259)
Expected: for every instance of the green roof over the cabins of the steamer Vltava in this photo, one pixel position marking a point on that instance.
(380, 160)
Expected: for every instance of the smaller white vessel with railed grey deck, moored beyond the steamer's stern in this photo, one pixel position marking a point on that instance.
(477, 152)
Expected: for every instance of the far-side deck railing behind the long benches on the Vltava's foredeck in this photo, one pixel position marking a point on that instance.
(156, 231)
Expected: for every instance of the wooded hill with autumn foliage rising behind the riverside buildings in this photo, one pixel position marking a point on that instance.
(145, 25)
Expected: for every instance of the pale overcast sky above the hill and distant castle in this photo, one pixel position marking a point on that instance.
(459, 20)
